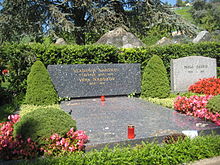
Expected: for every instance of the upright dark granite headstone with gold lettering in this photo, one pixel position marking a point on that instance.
(86, 80)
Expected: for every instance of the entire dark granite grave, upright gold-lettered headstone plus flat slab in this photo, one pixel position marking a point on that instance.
(106, 122)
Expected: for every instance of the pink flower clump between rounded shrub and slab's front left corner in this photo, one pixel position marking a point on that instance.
(72, 141)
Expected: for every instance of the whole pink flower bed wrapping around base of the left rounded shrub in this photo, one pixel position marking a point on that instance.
(18, 148)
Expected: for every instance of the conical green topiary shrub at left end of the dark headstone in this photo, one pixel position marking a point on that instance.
(40, 90)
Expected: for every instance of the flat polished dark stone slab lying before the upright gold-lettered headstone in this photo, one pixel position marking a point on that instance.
(107, 122)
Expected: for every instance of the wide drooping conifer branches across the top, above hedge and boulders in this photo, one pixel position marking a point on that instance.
(84, 18)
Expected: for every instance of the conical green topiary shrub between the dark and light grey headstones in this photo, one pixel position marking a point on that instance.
(155, 82)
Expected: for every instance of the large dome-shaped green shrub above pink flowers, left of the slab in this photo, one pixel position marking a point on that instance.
(42, 123)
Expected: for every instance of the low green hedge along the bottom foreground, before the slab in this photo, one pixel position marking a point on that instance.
(148, 153)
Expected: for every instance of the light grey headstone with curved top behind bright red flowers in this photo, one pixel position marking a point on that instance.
(188, 70)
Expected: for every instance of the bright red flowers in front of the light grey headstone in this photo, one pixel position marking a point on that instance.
(208, 86)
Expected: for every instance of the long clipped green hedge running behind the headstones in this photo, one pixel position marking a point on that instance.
(20, 57)
